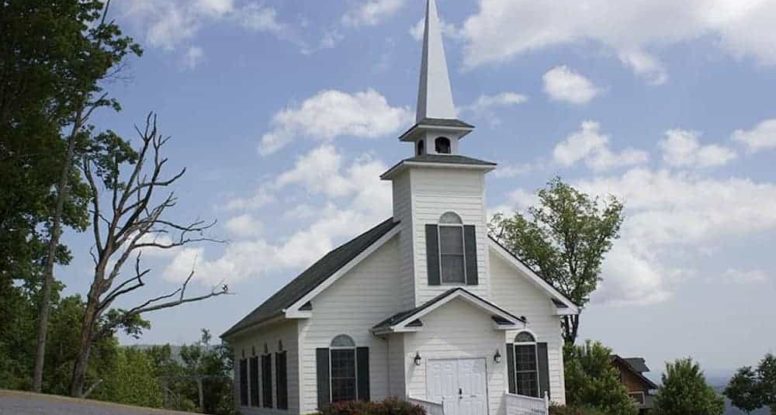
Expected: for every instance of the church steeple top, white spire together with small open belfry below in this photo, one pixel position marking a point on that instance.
(437, 129)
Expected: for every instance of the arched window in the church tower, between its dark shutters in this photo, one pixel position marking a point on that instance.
(451, 249)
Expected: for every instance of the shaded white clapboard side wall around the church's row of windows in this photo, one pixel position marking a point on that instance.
(254, 340)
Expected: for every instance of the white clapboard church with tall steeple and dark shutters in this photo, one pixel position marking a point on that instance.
(424, 306)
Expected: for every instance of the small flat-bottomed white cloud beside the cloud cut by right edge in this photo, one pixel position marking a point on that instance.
(682, 148)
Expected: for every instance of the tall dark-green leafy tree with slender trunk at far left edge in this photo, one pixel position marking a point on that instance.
(53, 57)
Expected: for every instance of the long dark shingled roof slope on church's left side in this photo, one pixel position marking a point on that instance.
(312, 277)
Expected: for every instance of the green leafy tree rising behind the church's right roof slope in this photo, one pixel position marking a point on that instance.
(564, 239)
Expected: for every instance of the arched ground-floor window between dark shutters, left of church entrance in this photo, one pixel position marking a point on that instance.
(343, 368)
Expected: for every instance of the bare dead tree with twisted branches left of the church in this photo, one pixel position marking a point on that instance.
(128, 218)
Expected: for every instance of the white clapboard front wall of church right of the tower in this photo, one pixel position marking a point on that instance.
(513, 292)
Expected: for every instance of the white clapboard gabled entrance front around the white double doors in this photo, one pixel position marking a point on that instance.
(457, 330)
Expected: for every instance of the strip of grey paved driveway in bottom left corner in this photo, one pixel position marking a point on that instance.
(24, 403)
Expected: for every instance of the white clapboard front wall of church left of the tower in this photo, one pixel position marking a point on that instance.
(364, 296)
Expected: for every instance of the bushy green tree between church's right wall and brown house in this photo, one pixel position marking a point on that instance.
(592, 382)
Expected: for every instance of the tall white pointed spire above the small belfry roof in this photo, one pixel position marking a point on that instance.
(435, 98)
